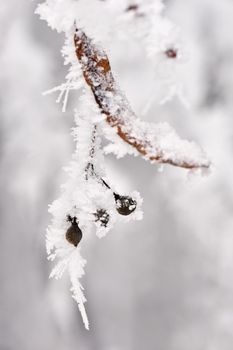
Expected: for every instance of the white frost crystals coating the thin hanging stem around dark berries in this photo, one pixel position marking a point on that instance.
(84, 196)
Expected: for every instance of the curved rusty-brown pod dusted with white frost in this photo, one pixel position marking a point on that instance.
(155, 142)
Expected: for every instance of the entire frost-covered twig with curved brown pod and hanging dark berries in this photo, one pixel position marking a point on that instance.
(88, 203)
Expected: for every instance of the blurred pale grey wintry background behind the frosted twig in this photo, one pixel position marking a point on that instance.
(161, 283)
